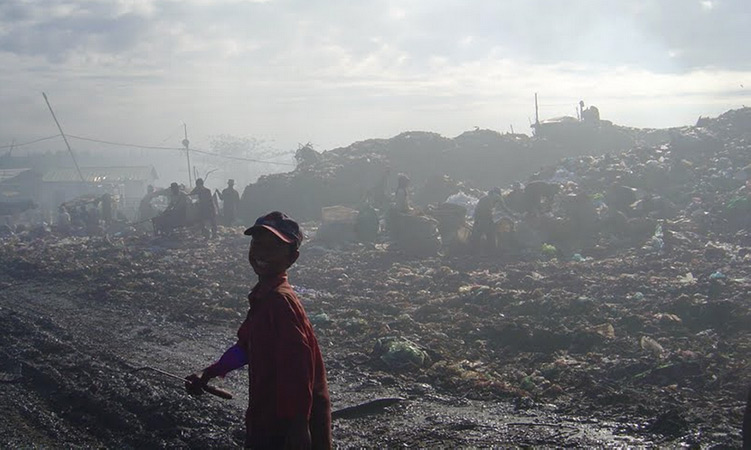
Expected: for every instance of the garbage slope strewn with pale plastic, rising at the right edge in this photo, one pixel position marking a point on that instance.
(698, 181)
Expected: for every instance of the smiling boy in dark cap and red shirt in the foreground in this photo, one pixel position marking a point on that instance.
(289, 404)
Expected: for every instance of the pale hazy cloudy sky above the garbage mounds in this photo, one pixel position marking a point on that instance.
(337, 71)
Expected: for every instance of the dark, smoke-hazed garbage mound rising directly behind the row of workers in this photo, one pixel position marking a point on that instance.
(480, 158)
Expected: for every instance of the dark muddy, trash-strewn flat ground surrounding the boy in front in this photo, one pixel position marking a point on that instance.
(631, 349)
